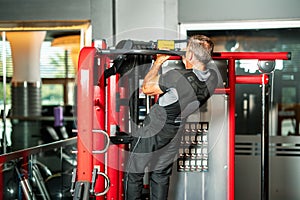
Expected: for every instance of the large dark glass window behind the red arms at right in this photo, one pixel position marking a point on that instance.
(284, 108)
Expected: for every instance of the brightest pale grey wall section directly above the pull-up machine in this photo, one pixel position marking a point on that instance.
(144, 20)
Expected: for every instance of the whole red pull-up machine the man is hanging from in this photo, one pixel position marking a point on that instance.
(103, 86)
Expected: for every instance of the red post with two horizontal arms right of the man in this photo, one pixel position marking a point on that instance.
(233, 79)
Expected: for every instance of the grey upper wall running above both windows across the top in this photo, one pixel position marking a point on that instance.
(157, 18)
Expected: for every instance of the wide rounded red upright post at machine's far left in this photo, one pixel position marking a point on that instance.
(85, 95)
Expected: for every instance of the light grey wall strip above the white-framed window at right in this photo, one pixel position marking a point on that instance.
(197, 11)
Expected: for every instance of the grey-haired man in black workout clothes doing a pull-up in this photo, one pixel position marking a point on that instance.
(182, 91)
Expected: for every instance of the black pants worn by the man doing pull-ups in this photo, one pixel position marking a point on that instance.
(157, 153)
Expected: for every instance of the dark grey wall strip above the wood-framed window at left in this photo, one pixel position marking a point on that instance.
(44, 10)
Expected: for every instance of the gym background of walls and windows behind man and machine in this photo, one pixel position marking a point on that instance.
(29, 109)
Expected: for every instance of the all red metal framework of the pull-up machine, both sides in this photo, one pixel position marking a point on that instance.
(114, 117)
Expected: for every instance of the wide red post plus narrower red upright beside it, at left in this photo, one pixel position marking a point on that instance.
(91, 107)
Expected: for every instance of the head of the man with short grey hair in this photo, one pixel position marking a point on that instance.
(199, 49)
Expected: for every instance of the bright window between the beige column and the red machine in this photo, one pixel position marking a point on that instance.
(57, 73)
